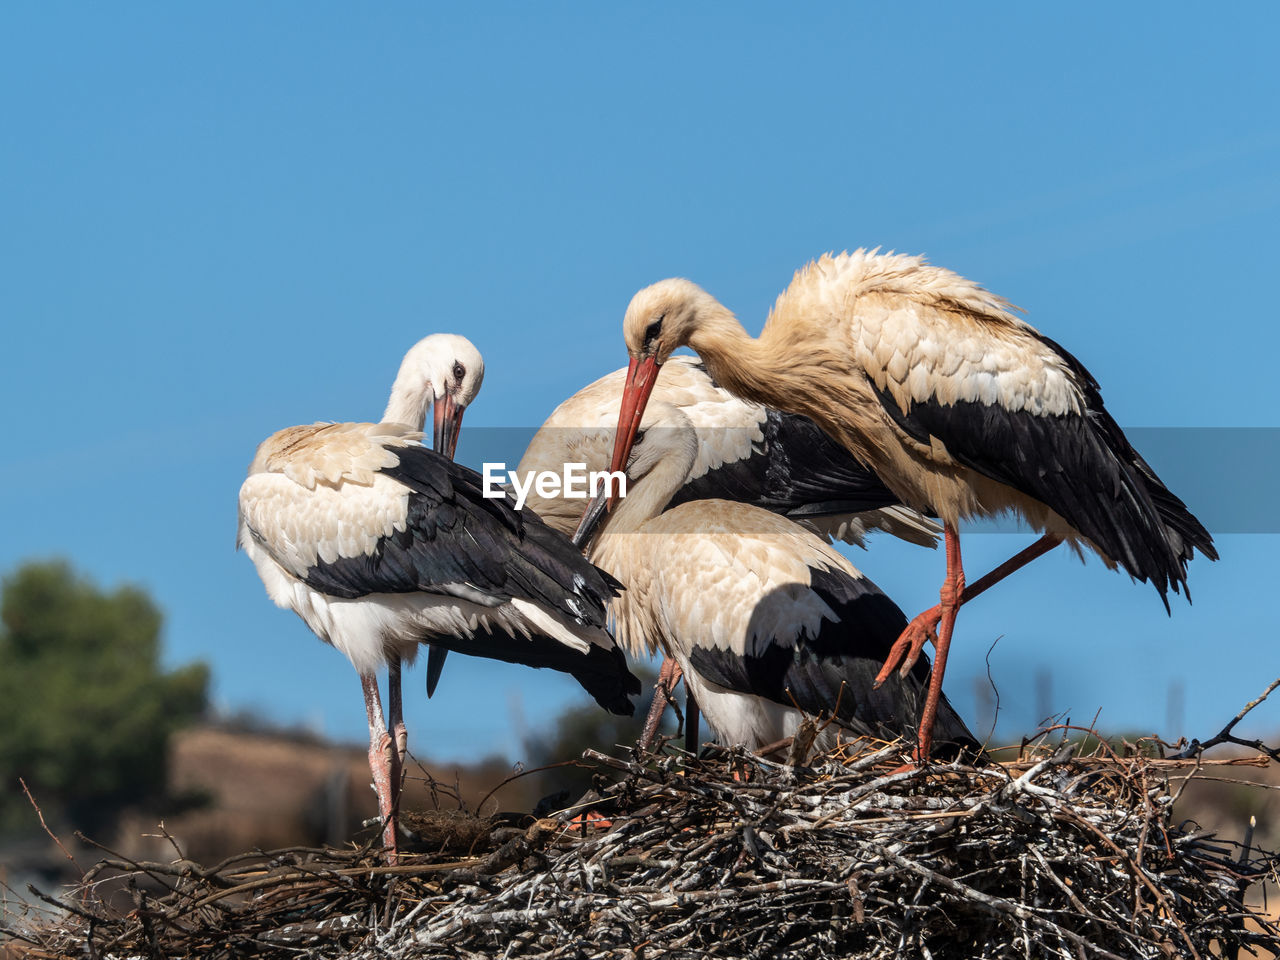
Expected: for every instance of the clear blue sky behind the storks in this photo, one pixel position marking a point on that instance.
(223, 220)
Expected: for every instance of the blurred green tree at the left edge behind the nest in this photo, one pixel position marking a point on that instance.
(85, 708)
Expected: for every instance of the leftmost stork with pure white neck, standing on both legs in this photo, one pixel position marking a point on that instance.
(381, 545)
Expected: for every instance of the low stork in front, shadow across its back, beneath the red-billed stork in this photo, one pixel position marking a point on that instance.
(767, 623)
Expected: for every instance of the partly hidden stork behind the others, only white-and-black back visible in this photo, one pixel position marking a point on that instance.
(746, 452)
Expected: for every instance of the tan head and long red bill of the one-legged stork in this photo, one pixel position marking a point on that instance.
(660, 319)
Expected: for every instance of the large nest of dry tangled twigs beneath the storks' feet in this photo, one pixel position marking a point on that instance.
(737, 857)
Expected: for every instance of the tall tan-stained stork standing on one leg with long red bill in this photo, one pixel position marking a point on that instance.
(958, 406)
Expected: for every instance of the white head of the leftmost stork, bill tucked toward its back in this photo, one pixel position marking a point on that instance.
(445, 371)
